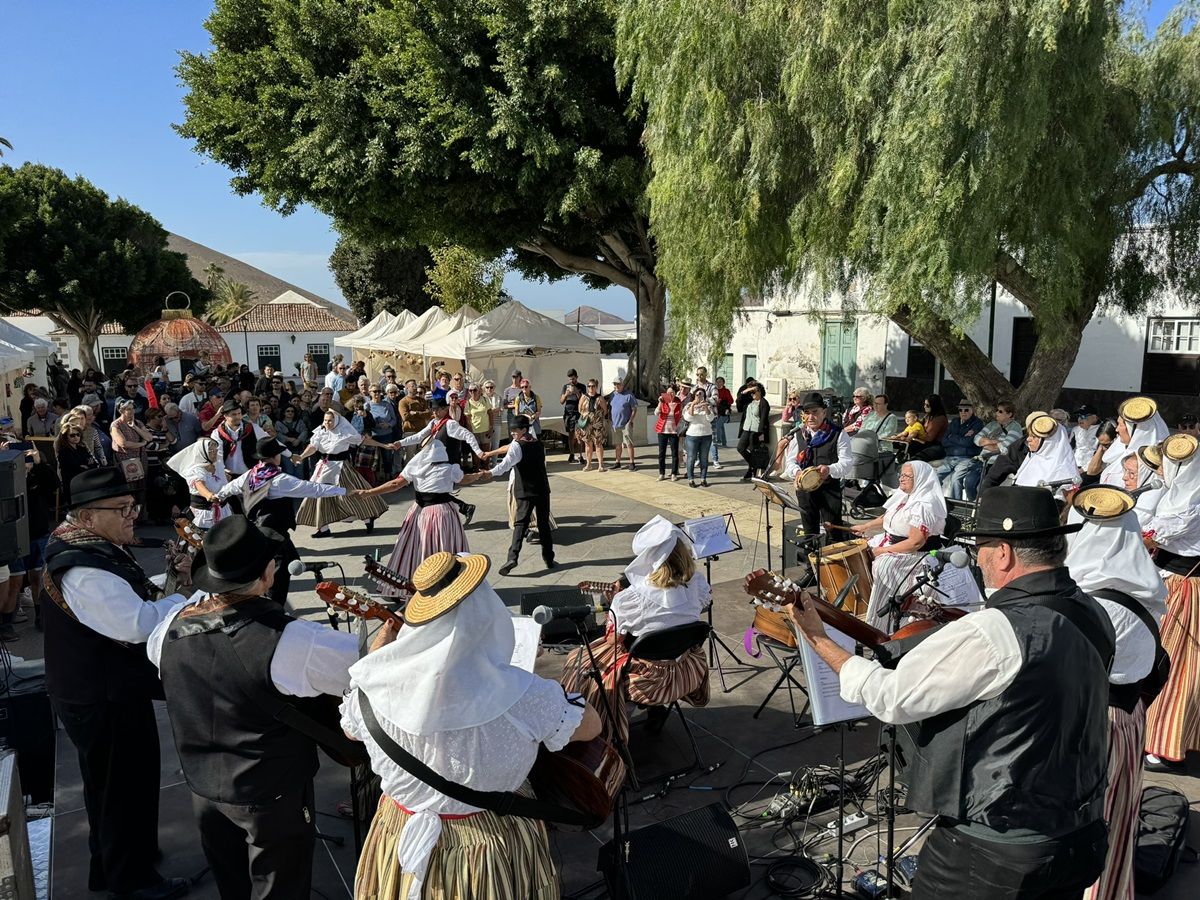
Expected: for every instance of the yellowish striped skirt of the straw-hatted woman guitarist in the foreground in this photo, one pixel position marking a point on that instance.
(482, 857)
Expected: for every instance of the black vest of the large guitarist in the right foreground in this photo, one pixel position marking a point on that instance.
(1036, 757)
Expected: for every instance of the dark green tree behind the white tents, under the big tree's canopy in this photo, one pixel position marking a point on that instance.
(374, 279)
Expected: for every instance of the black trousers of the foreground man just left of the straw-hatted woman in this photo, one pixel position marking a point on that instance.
(261, 851)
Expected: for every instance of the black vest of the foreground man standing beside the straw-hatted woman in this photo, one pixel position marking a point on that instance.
(233, 749)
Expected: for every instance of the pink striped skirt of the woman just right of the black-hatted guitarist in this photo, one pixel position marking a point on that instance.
(1121, 803)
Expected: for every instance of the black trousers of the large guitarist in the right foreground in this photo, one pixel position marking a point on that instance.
(959, 867)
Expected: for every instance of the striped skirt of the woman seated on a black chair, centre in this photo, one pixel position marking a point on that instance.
(650, 683)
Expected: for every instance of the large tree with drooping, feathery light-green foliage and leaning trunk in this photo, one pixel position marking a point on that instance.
(917, 151)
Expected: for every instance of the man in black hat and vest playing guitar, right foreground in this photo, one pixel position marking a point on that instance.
(1005, 713)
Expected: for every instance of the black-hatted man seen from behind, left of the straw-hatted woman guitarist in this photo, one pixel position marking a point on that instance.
(245, 686)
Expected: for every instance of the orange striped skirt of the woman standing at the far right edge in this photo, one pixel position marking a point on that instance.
(1173, 724)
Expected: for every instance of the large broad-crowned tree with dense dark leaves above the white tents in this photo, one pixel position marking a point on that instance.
(495, 125)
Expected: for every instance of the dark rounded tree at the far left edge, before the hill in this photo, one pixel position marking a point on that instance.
(82, 259)
